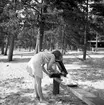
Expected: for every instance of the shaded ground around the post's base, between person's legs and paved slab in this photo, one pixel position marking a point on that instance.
(64, 97)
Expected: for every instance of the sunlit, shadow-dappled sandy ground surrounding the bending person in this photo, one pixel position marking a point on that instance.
(17, 87)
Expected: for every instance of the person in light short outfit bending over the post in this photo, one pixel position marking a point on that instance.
(36, 68)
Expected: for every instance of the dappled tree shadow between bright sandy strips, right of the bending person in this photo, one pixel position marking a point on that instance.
(87, 74)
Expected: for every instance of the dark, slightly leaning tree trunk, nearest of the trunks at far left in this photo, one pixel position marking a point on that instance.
(10, 55)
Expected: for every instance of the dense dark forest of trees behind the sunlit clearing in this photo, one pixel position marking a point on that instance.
(50, 24)
